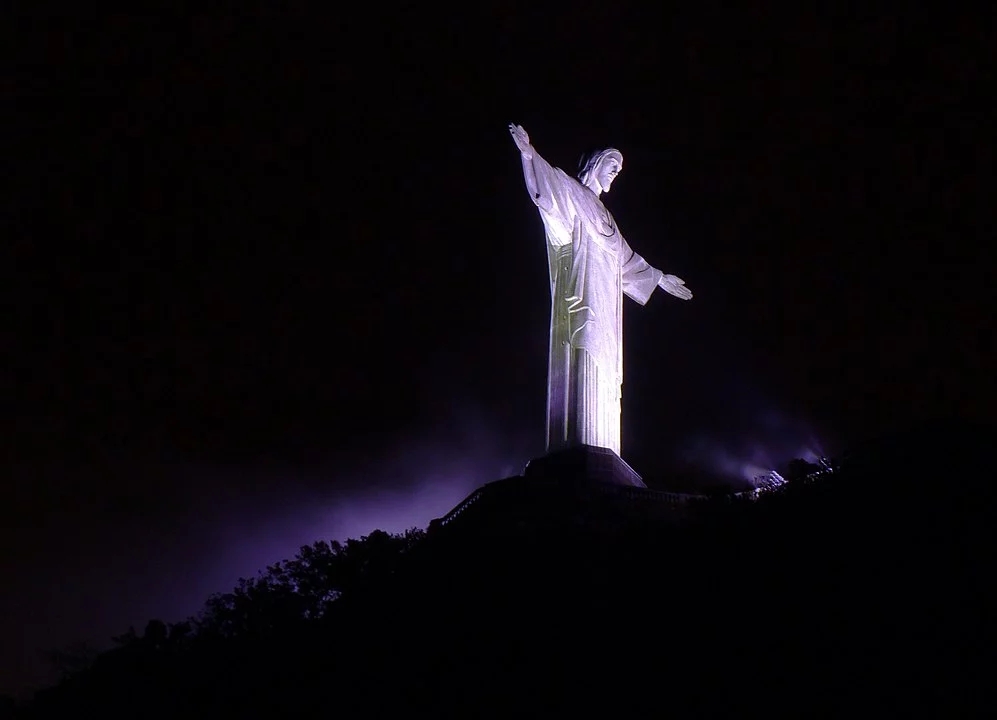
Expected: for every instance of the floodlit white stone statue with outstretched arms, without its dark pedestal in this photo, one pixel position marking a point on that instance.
(591, 268)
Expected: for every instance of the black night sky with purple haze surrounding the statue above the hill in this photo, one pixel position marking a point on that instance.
(273, 275)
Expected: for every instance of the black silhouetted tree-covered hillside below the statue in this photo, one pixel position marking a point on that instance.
(862, 589)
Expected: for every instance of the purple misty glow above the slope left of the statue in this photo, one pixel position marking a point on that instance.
(220, 523)
